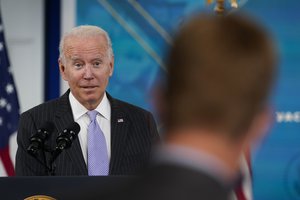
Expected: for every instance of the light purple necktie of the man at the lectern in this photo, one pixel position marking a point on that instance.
(98, 163)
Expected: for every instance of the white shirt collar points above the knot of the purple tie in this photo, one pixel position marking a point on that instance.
(78, 109)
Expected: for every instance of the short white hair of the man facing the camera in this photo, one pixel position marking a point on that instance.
(85, 31)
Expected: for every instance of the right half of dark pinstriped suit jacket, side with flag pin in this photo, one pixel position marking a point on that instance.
(133, 133)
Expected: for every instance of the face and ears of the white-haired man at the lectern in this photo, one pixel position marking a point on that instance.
(87, 68)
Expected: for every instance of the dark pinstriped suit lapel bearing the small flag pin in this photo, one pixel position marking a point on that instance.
(119, 129)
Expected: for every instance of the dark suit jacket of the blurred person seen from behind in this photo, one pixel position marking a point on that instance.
(171, 181)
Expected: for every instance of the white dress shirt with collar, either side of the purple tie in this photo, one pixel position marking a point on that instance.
(81, 117)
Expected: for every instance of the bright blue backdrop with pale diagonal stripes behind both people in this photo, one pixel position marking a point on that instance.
(141, 32)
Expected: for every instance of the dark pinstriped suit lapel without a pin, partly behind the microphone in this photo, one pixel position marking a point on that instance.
(63, 118)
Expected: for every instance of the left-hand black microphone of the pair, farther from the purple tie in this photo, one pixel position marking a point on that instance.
(37, 140)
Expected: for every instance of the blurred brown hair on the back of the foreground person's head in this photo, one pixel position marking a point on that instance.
(221, 70)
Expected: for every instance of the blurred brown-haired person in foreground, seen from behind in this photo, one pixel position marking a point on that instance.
(221, 70)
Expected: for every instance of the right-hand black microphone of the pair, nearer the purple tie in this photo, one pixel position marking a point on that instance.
(65, 139)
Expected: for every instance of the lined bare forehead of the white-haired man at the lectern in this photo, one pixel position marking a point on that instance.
(75, 46)
